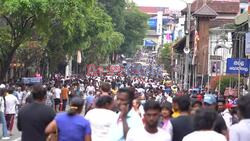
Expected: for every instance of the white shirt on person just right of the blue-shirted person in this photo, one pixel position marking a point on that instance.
(101, 121)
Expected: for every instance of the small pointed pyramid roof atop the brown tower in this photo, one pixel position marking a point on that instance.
(206, 11)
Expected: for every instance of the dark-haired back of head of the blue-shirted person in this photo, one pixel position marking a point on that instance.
(76, 106)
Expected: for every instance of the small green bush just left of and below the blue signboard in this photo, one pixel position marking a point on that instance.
(227, 81)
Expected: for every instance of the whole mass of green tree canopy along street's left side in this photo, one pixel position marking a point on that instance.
(60, 28)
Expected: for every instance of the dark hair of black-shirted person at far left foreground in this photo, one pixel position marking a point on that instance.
(38, 92)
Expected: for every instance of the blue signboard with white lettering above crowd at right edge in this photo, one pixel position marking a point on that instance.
(234, 64)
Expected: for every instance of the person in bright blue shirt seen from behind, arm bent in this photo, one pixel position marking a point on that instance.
(71, 126)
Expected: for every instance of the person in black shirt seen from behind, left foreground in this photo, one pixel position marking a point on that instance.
(33, 118)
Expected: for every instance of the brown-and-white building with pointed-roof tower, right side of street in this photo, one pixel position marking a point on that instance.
(208, 24)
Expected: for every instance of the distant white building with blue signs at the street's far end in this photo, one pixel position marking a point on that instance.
(162, 25)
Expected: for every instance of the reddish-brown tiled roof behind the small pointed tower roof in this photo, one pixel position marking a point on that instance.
(219, 6)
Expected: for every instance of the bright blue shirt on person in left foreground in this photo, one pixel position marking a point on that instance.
(72, 128)
